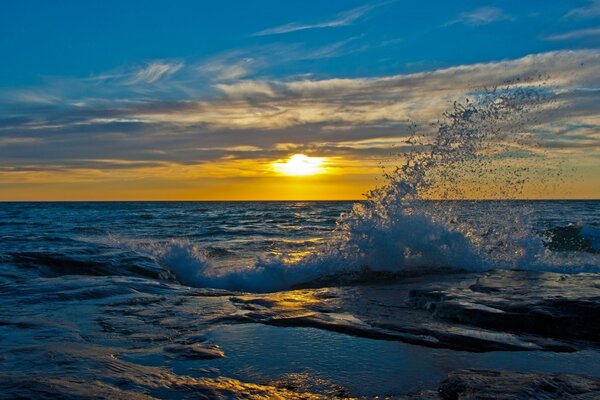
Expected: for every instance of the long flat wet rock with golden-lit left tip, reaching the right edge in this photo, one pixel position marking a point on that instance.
(493, 311)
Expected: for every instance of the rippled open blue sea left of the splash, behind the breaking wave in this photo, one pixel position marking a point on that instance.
(233, 233)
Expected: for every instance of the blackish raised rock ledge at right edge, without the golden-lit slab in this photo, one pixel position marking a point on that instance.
(565, 307)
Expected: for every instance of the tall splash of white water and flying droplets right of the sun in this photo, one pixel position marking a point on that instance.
(399, 227)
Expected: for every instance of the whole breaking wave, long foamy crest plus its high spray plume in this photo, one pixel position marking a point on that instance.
(398, 230)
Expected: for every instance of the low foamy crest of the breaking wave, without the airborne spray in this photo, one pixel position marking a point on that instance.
(381, 258)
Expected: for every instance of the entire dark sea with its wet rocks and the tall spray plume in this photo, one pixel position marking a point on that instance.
(393, 296)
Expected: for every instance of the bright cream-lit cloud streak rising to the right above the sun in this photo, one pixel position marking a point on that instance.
(383, 100)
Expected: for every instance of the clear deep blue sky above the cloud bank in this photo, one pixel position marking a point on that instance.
(74, 38)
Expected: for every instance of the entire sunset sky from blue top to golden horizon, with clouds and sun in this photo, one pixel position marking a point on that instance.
(209, 100)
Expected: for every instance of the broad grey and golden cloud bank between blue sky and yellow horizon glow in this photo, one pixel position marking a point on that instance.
(353, 118)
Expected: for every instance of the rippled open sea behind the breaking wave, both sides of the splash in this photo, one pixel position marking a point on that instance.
(231, 233)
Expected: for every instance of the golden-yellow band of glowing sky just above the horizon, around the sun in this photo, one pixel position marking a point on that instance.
(333, 178)
